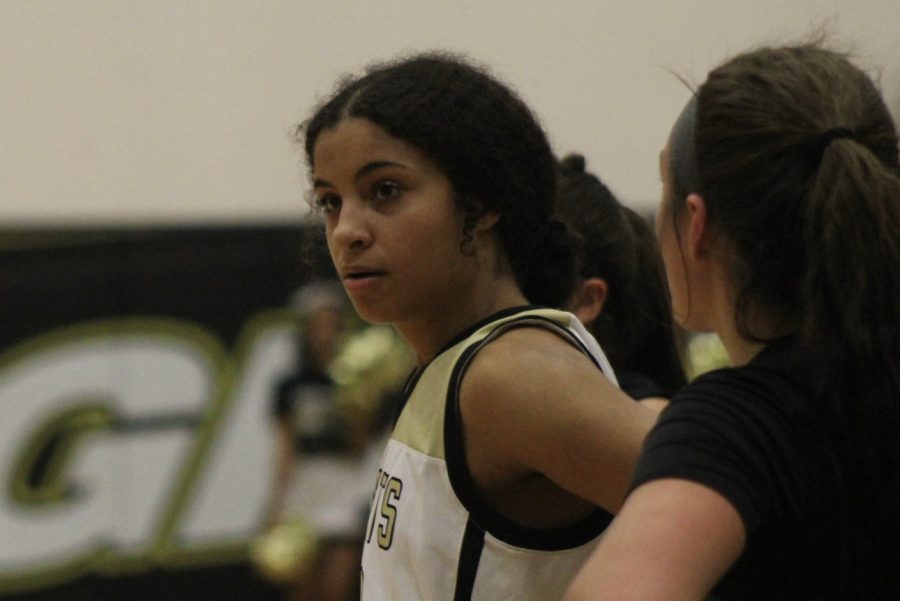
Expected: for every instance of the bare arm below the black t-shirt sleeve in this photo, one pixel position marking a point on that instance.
(672, 541)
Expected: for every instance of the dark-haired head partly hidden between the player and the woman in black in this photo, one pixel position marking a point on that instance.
(621, 295)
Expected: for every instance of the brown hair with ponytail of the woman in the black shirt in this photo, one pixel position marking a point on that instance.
(799, 162)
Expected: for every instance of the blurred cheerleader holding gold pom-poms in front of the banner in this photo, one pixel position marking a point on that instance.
(318, 497)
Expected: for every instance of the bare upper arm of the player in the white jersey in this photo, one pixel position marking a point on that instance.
(533, 403)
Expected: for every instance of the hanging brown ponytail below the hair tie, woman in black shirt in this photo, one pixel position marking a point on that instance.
(851, 299)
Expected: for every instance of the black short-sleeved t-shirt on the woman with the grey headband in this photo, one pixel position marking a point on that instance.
(751, 434)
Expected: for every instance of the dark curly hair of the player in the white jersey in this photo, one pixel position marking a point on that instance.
(487, 142)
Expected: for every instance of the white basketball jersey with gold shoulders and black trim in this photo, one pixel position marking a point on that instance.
(430, 536)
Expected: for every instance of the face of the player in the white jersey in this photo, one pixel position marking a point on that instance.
(393, 229)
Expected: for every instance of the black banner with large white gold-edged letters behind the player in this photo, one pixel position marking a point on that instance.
(136, 368)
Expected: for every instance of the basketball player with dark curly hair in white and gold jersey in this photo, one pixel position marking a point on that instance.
(513, 446)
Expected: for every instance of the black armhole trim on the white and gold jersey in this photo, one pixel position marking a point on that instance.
(480, 510)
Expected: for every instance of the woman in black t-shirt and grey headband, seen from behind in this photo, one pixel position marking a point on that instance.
(776, 478)
